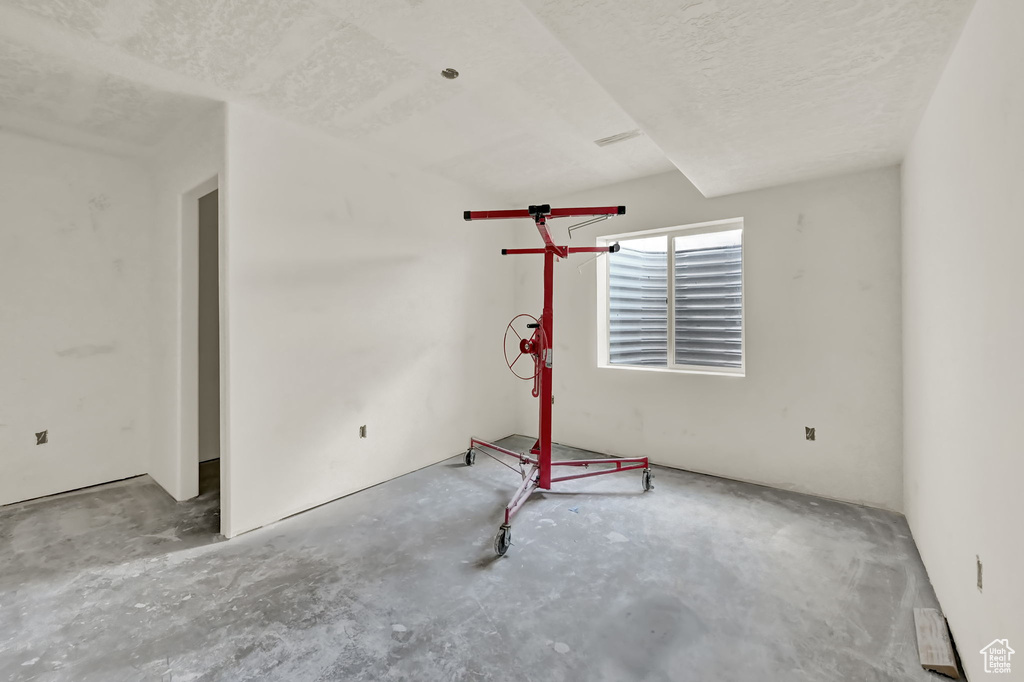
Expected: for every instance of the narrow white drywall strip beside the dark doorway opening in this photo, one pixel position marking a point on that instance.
(190, 158)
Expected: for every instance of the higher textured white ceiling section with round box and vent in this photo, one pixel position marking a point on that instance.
(521, 120)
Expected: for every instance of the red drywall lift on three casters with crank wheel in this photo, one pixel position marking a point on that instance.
(536, 467)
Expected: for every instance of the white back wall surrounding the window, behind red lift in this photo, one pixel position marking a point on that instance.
(823, 314)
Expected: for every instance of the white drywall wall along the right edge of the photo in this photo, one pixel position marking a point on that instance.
(963, 281)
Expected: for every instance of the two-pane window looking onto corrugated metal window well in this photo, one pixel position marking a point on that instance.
(693, 321)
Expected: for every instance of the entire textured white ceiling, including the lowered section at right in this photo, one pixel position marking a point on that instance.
(737, 94)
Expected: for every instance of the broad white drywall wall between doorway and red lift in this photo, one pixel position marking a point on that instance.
(358, 296)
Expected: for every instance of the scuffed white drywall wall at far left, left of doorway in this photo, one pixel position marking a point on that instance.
(74, 352)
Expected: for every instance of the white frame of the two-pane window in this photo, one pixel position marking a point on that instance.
(604, 310)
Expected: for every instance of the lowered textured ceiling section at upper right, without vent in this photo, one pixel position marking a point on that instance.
(745, 95)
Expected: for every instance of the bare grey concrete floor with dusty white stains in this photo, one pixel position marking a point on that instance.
(702, 579)
